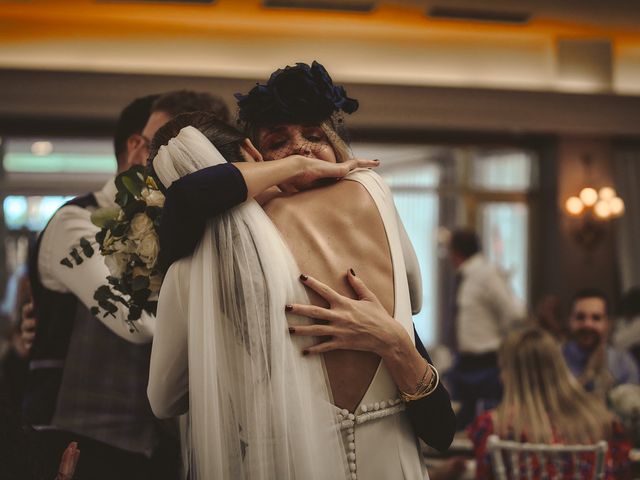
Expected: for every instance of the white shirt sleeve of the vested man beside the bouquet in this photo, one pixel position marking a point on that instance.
(66, 228)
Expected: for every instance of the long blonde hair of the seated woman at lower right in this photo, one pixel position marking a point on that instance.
(542, 400)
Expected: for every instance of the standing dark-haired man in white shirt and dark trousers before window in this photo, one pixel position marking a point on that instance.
(485, 309)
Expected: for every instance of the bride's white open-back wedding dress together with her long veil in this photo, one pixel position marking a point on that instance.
(222, 352)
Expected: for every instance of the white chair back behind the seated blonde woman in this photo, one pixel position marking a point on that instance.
(531, 461)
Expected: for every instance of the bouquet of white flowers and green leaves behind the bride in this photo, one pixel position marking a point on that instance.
(128, 238)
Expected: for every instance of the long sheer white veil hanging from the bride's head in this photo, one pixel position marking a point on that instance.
(258, 409)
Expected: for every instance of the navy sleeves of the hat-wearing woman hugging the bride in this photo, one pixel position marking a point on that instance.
(196, 197)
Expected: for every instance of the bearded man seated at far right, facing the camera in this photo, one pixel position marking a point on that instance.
(597, 365)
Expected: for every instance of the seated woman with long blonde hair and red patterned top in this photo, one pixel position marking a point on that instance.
(543, 403)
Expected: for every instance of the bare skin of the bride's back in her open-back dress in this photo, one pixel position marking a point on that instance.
(330, 230)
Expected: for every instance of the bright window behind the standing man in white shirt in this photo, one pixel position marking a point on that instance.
(439, 186)
